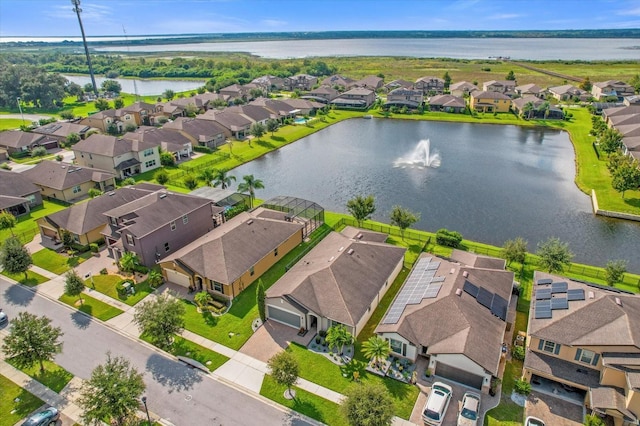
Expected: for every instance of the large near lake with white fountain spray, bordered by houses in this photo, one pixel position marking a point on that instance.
(494, 182)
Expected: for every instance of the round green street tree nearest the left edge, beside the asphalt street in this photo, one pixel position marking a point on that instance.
(32, 340)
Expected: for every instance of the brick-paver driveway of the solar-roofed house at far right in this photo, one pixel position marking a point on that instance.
(554, 411)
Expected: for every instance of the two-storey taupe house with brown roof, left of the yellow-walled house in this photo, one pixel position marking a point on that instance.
(158, 224)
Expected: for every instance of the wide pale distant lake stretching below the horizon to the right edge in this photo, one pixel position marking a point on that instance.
(460, 48)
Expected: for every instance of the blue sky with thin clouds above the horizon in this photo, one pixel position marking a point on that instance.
(39, 18)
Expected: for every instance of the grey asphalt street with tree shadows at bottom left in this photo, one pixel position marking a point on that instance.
(182, 395)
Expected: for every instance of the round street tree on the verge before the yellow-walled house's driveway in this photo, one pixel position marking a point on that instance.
(160, 319)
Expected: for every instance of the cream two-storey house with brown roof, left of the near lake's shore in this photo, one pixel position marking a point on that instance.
(120, 156)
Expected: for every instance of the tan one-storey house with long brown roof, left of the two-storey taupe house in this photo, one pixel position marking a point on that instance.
(85, 221)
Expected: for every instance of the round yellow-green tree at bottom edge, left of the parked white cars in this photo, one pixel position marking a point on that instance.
(368, 405)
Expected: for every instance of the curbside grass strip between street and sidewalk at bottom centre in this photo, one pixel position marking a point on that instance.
(306, 403)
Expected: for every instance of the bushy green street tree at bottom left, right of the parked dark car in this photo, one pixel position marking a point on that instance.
(112, 392)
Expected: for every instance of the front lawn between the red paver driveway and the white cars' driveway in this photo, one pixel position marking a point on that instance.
(318, 369)
